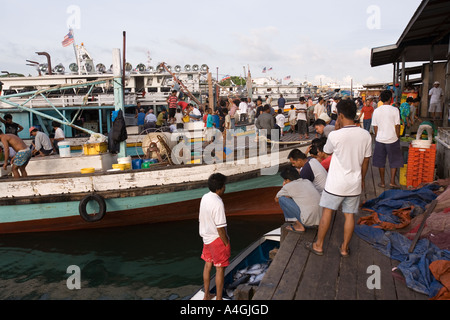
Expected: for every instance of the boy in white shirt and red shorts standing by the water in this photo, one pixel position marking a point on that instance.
(213, 230)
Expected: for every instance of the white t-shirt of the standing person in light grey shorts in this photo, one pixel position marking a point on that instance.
(349, 147)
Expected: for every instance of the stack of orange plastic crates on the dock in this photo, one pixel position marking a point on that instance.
(421, 164)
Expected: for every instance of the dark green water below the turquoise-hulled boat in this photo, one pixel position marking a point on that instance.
(157, 261)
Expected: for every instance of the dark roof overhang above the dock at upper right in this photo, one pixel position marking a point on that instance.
(429, 26)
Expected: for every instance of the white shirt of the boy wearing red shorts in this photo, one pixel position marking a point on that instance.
(211, 217)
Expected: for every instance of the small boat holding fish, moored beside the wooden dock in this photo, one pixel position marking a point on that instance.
(248, 267)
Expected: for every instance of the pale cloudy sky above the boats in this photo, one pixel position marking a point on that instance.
(320, 41)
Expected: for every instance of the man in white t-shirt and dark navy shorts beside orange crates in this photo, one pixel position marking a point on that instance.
(386, 124)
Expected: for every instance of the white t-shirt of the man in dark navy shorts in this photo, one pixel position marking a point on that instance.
(386, 118)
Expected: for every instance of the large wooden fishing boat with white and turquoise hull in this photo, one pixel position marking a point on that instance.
(87, 192)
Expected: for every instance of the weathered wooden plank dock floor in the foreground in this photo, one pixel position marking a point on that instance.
(297, 274)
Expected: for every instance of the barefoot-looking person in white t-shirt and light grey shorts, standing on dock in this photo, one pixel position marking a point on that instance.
(351, 147)
